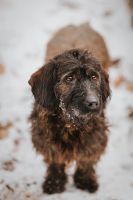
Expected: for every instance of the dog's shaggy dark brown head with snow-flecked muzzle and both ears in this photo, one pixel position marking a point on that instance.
(74, 82)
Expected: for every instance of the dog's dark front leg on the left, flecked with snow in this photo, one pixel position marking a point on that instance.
(55, 179)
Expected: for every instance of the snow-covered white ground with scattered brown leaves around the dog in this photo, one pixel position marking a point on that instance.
(26, 26)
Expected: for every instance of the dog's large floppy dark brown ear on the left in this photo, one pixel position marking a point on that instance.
(42, 83)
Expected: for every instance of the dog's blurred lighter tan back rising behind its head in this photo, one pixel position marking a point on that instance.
(83, 37)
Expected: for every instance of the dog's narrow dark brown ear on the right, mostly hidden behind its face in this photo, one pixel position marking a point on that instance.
(105, 88)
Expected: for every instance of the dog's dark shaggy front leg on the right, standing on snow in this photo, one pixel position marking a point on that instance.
(85, 177)
